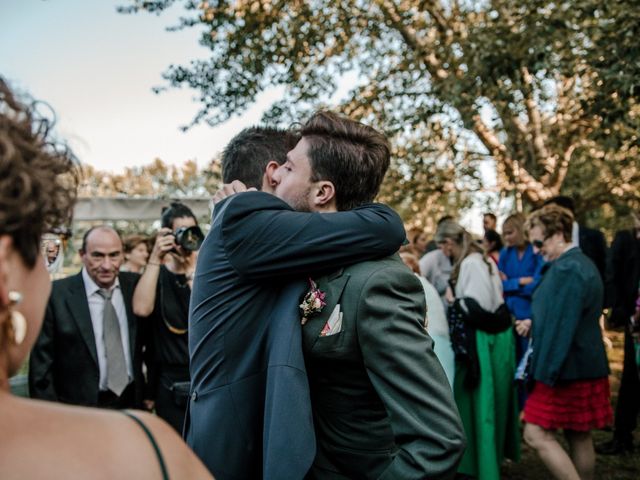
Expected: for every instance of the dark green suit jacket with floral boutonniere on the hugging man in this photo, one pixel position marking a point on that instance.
(381, 402)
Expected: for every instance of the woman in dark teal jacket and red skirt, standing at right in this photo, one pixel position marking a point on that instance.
(569, 364)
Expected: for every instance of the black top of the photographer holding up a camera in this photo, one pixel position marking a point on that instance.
(167, 338)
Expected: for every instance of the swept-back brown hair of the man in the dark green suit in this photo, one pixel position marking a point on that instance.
(351, 155)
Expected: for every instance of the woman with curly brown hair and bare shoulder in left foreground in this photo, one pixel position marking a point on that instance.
(38, 182)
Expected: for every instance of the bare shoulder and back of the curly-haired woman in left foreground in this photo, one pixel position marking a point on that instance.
(75, 442)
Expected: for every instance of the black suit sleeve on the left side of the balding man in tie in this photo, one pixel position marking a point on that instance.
(41, 382)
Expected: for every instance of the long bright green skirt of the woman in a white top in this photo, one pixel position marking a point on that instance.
(490, 411)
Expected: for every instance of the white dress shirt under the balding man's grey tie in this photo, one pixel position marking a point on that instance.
(96, 309)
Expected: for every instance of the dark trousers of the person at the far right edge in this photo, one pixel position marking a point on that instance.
(629, 393)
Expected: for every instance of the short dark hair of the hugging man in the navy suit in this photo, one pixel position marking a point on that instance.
(247, 155)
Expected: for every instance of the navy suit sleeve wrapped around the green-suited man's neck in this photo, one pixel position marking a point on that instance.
(264, 238)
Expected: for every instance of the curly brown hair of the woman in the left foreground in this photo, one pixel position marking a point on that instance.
(38, 177)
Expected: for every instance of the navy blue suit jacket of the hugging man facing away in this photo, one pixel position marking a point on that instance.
(249, 415)
